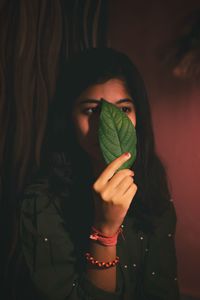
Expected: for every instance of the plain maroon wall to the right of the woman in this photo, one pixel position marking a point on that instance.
(143, 29)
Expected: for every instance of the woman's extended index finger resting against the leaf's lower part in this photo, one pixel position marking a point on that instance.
(114, 166)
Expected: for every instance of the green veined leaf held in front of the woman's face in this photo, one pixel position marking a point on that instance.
(117, 134)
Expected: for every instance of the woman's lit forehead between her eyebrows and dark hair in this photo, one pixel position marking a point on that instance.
(111, 90)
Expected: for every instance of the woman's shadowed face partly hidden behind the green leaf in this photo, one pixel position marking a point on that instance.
(85, 114)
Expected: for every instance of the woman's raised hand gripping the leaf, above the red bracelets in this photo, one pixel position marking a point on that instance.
(113, 194)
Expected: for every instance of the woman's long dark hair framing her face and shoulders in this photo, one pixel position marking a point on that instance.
(94, 66)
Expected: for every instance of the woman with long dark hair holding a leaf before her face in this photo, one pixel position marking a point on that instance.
(89, 231)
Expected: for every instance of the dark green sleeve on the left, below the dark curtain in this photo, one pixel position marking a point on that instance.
(49, 252)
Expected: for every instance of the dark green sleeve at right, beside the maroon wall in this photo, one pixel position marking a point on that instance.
(160, 266)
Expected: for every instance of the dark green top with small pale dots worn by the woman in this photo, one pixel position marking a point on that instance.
(54, 239)
